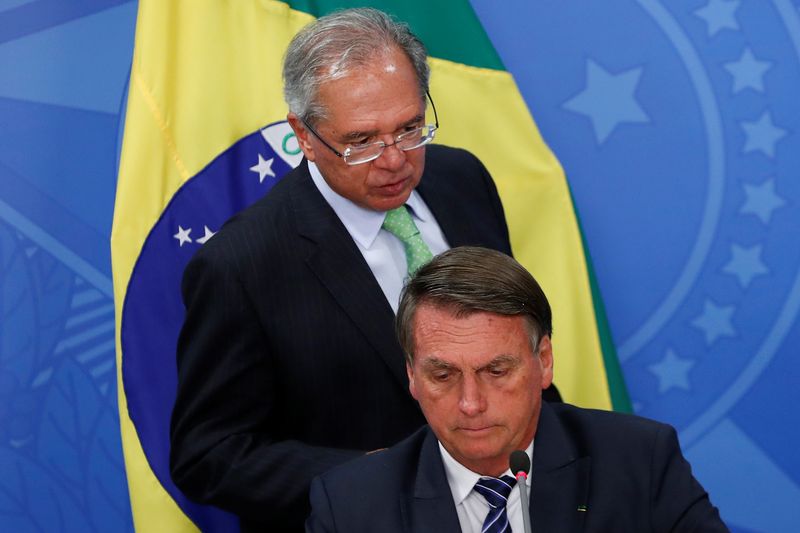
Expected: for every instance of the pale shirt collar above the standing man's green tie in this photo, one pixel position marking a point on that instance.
(363, 224)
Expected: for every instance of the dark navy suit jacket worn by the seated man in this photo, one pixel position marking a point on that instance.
(626, 472)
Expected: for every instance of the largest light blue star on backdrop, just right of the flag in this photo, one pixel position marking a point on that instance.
(608, 99)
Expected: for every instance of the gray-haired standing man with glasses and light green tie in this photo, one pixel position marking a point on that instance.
(287, 360)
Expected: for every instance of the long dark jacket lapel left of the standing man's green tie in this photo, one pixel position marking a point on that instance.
(337, 262)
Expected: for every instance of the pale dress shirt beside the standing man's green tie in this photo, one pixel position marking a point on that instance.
(383, 251)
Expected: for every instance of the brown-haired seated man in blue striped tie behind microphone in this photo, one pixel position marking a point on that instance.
(476, 329)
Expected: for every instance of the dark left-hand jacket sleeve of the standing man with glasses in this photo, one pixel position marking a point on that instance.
(223, 450)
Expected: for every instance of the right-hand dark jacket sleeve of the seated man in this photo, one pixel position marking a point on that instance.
(680, 504)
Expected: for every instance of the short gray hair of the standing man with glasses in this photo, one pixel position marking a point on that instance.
(335, 45)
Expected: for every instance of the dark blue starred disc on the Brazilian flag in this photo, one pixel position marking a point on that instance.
(153, 312)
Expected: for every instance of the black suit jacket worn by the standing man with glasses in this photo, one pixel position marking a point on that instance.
(287, 360)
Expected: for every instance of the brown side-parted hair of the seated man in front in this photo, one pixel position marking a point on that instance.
(469, 280)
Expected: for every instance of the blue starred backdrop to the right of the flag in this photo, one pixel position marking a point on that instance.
(676, 125)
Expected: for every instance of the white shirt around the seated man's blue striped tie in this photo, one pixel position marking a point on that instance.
(471, 507)
